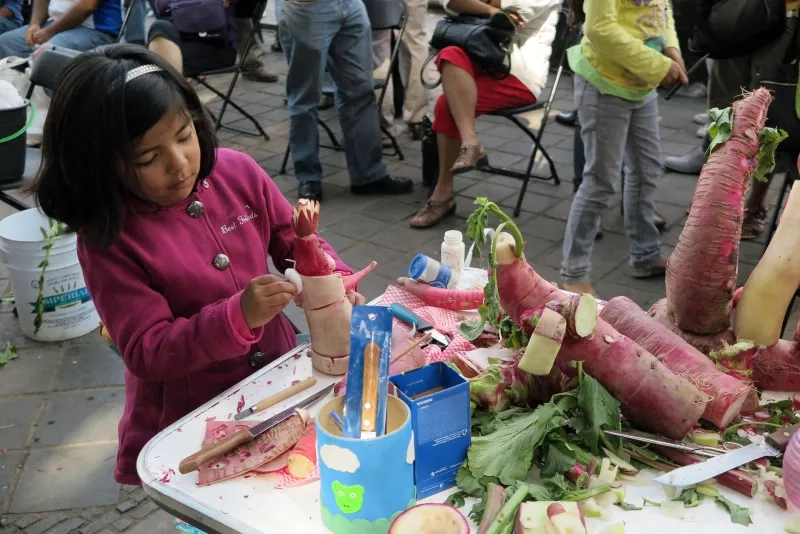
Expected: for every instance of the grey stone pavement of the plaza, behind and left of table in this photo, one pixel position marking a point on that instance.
(60, 403)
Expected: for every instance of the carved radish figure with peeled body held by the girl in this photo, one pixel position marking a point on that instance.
(324, 296)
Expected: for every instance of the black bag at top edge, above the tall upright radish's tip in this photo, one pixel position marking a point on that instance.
(733, 28)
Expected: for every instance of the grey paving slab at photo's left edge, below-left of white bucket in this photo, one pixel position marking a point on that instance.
(34, 374)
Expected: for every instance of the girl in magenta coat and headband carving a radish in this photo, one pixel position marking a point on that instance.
(173, 236)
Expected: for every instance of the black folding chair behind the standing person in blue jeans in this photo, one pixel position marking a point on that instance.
(383, 15)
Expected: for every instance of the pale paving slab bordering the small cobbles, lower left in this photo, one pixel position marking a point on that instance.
(74, 477)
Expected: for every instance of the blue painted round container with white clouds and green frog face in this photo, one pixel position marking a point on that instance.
(365, 483)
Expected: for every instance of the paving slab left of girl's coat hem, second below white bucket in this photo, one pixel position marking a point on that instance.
(79, 417)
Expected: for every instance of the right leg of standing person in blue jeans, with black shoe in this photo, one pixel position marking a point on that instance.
(350, 66)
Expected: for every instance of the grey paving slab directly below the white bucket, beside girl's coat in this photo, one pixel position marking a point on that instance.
(93, 365)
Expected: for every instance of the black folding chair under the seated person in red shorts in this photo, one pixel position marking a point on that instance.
(511, 114)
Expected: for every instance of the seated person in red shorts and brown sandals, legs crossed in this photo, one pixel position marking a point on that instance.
(469, 92)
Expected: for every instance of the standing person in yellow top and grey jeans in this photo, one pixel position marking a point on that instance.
(628, 49)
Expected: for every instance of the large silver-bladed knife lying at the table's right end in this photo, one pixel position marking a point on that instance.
(773, 445)
